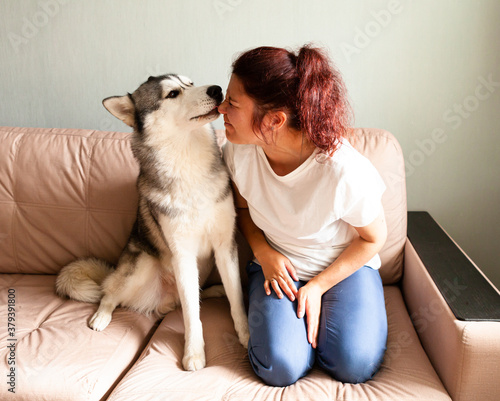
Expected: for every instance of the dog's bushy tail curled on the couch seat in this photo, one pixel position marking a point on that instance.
(81, 280)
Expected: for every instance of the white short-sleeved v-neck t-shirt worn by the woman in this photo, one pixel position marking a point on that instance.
(307, 214)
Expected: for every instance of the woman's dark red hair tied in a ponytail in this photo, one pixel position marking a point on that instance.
(306, 86)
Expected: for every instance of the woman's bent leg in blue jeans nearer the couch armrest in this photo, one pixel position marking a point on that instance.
(353, 333)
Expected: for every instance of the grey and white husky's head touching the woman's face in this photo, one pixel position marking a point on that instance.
(167, 99)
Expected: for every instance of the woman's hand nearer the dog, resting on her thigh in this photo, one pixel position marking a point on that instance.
(278, 272)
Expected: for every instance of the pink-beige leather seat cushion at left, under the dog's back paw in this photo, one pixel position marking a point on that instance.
(57, 356)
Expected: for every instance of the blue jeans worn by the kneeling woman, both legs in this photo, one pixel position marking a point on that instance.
(352, 335)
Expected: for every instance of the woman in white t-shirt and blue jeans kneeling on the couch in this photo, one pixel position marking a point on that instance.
(310, 207)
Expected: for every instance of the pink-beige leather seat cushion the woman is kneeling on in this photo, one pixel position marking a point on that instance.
(406, 373)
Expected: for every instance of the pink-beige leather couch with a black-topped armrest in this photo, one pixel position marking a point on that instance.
(67, 193)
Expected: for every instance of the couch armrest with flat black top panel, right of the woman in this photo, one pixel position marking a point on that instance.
(454, 309)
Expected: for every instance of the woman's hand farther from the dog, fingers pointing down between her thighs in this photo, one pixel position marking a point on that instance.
(309, 303)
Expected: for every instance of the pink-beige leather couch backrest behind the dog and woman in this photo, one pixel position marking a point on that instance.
(69, 193)
